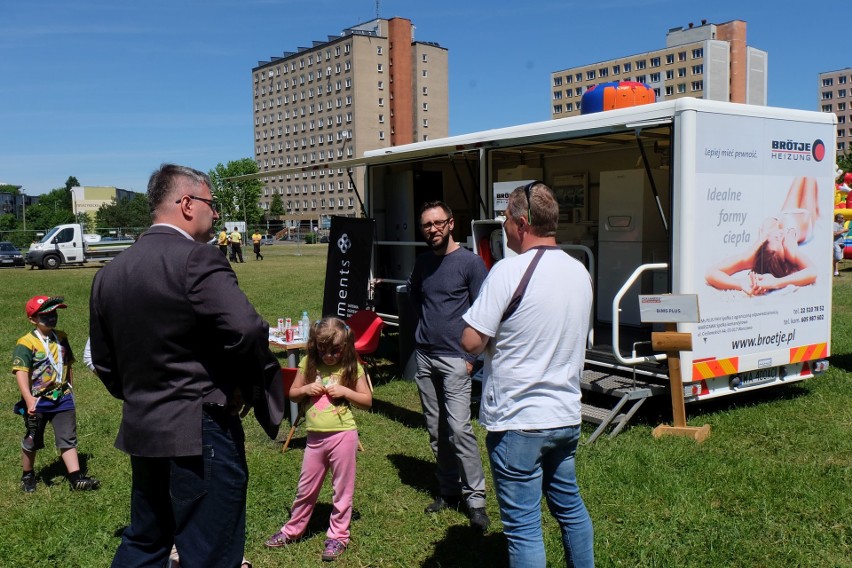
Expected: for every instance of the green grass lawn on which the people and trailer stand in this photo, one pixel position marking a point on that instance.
(770, 487)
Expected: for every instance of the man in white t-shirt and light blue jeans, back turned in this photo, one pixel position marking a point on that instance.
(534, 356)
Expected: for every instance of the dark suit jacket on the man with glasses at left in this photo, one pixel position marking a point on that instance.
(171, 330)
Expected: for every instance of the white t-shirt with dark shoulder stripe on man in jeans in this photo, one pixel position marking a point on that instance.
(534, 360)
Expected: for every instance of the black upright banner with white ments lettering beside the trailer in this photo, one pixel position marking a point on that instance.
(347, 270)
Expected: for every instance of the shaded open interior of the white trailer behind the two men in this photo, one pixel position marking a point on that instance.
(614, 190)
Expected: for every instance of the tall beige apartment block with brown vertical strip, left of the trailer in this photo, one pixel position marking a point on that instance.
(371, 87)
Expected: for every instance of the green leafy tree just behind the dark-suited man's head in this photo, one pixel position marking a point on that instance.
(237, 200)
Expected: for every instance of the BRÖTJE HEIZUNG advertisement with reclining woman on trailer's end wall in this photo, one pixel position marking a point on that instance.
(762, 211)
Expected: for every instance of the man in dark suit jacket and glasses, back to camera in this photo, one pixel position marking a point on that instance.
(175, 338)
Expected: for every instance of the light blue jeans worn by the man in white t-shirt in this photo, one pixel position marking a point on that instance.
(524, 464)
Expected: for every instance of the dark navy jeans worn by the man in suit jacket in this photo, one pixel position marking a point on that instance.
(197, 503)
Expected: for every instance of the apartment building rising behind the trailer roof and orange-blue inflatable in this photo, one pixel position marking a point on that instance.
(710, 61)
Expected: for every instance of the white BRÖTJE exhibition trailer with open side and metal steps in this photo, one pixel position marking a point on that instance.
(679, 197)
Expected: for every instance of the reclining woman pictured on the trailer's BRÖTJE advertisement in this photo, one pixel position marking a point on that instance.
(775, 260)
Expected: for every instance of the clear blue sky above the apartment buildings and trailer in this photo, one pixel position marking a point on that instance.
(106, 90)
